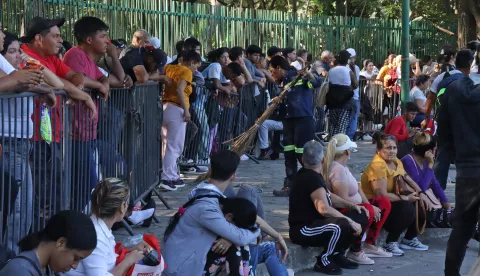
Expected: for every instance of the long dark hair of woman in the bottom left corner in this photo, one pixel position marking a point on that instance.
(72, 225)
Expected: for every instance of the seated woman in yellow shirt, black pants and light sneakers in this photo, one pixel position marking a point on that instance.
(378, 180)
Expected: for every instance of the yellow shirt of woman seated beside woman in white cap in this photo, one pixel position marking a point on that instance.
(376, 170)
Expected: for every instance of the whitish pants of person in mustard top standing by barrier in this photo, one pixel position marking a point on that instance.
(173, 140)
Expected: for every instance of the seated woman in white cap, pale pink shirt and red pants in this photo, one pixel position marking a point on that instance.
(341, 182)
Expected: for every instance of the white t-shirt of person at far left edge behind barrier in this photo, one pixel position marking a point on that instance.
(15, 119)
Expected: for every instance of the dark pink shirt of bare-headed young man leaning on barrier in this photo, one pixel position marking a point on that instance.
(84, 129)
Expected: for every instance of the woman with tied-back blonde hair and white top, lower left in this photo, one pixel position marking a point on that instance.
(109, 205)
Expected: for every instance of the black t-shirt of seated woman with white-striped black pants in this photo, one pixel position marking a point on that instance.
(302, 211)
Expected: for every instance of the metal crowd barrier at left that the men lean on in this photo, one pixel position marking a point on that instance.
(51, 159)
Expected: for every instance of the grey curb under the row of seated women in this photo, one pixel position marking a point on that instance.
(302, 258)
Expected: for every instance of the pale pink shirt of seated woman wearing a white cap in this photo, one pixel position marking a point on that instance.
(340, 175)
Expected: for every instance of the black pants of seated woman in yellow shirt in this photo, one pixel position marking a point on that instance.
(401, 218)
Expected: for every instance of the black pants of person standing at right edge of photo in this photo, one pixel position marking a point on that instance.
(465, 217)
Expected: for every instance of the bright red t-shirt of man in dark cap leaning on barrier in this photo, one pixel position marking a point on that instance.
(54, 64)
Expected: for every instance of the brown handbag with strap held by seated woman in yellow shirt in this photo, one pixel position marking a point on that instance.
(403, 187)
